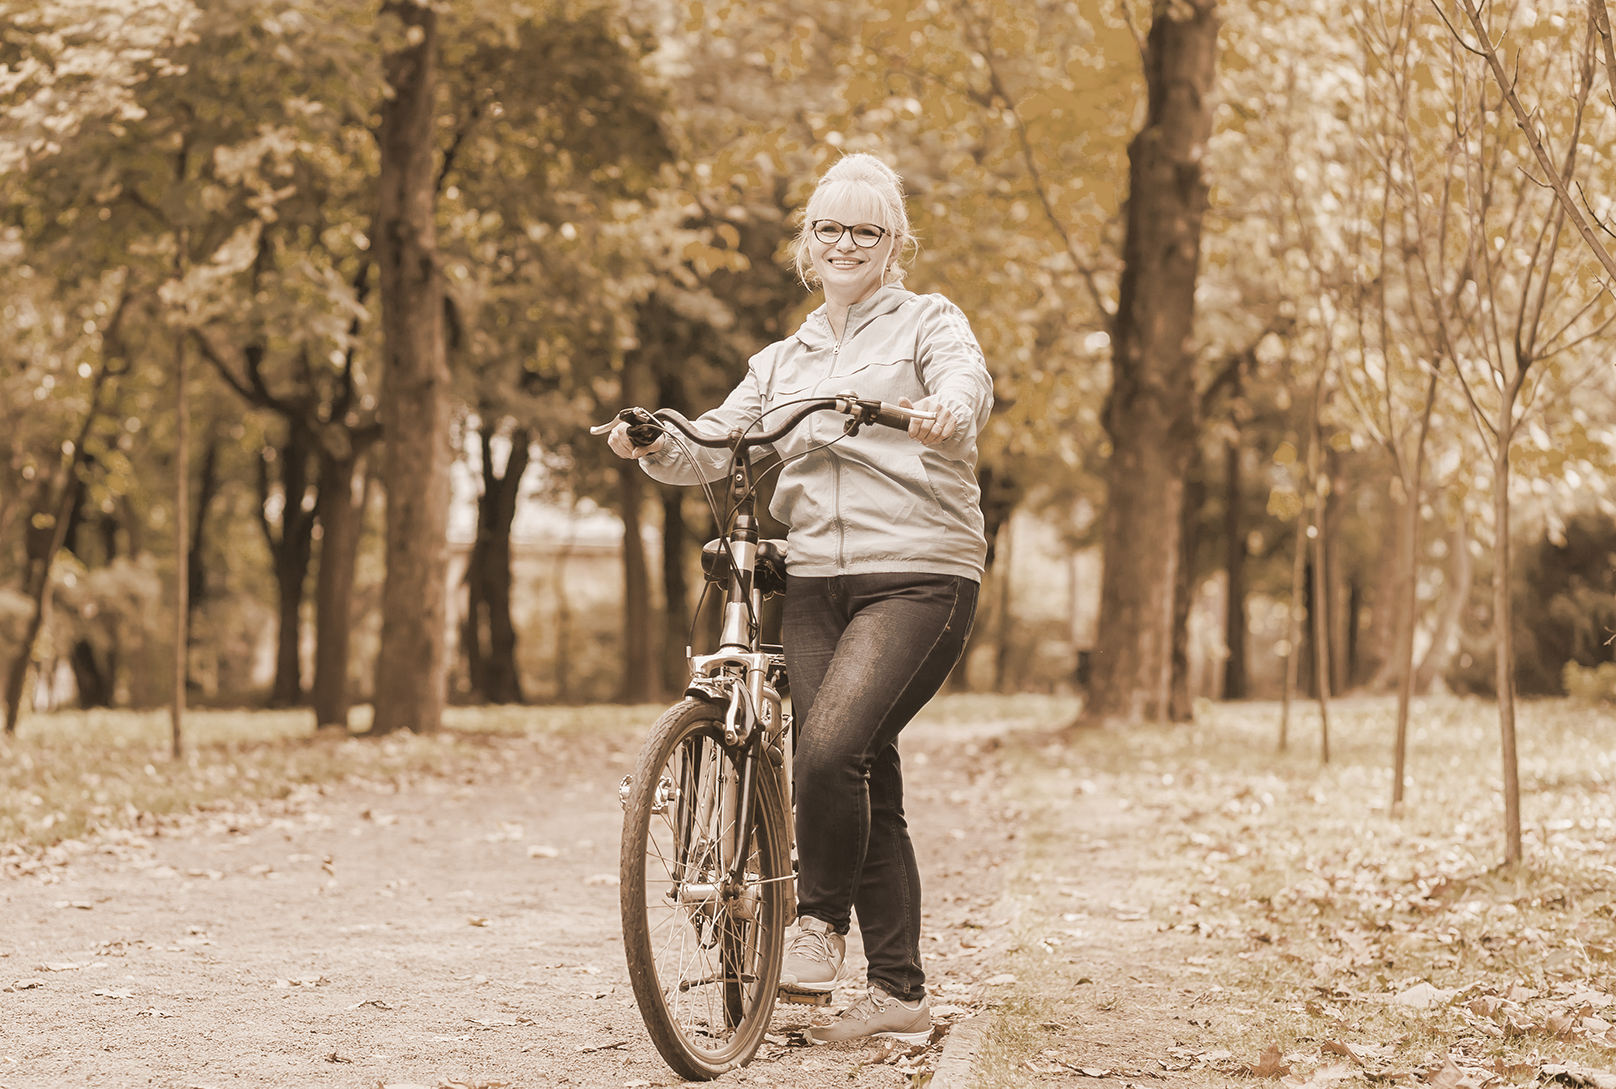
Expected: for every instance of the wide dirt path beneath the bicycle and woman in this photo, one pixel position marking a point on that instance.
(445, 933)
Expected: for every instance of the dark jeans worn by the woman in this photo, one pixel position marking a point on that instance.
(865, 654)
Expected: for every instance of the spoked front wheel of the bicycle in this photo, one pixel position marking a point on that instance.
(705, 970)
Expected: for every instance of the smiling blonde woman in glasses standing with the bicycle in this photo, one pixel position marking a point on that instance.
(885, 560)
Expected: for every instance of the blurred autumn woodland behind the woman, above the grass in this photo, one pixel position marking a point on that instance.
(1399, 358)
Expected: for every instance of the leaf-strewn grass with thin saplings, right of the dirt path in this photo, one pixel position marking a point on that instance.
(1360, 944)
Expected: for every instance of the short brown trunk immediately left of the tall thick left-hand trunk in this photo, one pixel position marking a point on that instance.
(340, 511)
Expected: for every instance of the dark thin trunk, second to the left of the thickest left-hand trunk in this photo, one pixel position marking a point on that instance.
(290, 550)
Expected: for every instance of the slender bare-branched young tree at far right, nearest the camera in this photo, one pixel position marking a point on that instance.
(1530, 319)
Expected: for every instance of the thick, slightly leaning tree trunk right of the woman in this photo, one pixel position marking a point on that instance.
(1151, 411)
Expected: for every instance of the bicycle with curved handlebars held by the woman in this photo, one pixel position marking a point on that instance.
(709, 836)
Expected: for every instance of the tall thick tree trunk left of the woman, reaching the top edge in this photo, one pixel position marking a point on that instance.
(413, 658)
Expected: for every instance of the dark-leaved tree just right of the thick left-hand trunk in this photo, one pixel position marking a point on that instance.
(550, 217)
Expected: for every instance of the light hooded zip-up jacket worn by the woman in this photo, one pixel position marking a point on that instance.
(878, 502)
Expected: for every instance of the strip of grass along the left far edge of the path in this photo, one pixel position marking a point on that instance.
(67, 775)
